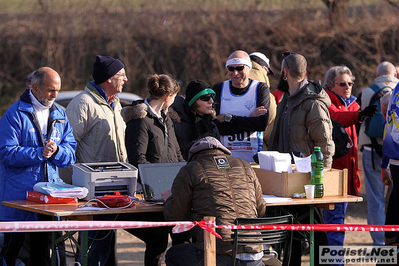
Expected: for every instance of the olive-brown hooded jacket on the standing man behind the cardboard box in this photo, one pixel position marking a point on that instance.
(307, 121)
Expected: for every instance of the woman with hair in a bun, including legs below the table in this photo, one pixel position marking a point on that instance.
(150, 138)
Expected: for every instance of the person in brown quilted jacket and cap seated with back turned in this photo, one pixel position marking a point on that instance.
(206, 186)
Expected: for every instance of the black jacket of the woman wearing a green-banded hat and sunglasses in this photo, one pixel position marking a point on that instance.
(188, 127)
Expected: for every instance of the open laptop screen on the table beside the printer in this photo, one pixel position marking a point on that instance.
(158, 177)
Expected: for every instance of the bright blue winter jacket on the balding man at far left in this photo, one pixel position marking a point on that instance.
(21, 162)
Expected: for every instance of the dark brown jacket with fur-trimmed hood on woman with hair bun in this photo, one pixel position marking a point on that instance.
(148, 138)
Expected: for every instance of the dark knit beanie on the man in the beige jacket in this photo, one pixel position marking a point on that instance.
(105, 68)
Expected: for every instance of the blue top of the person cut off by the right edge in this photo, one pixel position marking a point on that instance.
(390, 147)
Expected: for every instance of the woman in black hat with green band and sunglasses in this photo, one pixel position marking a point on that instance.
(193, 115)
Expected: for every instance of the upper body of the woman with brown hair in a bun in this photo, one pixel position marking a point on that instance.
(150, 137)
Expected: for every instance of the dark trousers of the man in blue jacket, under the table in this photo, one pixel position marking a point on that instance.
(39, 249)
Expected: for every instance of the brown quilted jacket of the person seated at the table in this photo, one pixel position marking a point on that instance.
(205, 187)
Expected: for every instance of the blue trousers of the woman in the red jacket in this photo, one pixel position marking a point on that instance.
(336, 216)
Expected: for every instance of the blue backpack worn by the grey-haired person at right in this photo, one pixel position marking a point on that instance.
(375, 125)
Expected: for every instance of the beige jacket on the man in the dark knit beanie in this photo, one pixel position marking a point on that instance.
(98, 128)
